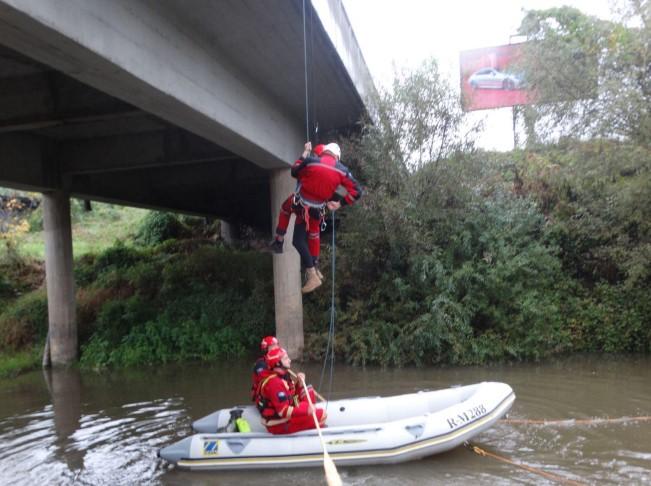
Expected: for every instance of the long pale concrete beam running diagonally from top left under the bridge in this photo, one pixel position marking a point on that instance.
(134, 51)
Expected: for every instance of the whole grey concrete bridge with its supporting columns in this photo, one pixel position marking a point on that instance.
(195, 107)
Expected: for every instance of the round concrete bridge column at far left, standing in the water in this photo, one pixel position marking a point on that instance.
(62, 333)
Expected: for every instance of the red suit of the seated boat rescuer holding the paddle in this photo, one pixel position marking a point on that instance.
(283, 406)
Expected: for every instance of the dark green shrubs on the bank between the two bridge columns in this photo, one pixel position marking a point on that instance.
(174, 305)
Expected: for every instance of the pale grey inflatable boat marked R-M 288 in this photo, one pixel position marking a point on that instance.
(359, 431)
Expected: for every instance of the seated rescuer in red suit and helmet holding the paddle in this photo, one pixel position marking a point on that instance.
(283, 404)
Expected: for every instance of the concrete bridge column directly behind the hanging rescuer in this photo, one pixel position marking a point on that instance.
(287, 274)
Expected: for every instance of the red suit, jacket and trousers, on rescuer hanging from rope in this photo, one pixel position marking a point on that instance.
(318, 180)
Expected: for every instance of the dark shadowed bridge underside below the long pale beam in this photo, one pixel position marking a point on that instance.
(59, 134)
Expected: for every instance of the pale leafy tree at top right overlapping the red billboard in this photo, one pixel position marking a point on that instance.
(592, 77)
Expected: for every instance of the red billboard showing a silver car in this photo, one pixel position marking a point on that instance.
(490, 78)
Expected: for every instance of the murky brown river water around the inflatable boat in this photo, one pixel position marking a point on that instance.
(72, 427)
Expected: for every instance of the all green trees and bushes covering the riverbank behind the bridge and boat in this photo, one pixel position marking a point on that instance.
(454, 255)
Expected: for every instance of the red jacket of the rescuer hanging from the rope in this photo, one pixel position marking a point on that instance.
(320, 178)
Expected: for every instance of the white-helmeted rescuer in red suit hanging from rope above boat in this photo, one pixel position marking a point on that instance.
(318, 177)
